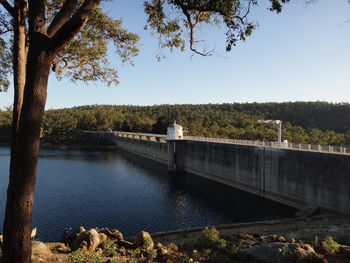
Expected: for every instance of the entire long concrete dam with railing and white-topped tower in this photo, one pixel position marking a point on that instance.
(298, 175)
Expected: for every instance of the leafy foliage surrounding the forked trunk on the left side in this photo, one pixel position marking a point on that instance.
(85, 58)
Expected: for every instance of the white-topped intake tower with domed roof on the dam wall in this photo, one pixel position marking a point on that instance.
(174, 133)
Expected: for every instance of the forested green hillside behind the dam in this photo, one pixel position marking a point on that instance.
(303, 122)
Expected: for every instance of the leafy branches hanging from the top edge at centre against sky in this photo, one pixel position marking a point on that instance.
(176, 21)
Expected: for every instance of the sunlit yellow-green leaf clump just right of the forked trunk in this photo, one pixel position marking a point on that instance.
(85, 58)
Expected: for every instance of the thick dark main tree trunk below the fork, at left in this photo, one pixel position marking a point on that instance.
(20, 193)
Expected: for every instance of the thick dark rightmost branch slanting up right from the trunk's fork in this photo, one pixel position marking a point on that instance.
(73, 25)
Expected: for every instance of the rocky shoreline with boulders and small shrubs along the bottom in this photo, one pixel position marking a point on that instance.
(324, 238)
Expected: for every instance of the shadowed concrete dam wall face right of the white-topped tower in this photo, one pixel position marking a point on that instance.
(293, 177)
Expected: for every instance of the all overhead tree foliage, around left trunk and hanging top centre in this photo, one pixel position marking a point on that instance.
(174, 22)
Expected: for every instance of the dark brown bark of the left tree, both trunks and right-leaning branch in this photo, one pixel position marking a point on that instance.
(28, 119)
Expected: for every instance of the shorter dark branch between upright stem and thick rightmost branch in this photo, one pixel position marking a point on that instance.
(62, 16)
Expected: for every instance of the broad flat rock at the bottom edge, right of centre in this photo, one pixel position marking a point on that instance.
(284, 253)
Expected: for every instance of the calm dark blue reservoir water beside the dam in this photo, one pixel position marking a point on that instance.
(105, 188)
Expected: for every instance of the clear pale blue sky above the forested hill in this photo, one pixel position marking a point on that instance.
(302, 54)
